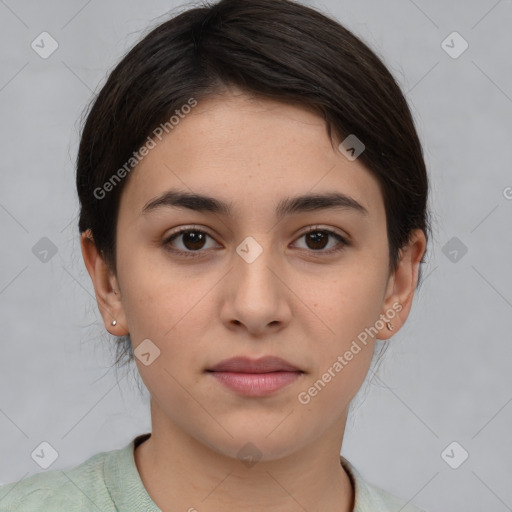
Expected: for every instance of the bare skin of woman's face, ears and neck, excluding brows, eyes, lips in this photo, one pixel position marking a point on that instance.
(292, 302)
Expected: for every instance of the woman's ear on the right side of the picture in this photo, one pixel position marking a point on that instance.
(402, 285)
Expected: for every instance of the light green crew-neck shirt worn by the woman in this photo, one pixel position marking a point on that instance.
(110, 482)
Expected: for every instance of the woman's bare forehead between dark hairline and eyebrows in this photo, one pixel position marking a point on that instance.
(246, 150)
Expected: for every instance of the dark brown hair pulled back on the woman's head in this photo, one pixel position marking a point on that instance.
(277, 49)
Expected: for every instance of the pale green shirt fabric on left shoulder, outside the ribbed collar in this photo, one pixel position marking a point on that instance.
(77, 489)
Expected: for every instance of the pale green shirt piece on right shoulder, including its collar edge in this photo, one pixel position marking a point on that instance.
(370, 498)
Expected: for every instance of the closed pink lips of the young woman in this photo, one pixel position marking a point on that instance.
(255, 377)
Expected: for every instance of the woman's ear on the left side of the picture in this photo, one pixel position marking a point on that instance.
(108, 295)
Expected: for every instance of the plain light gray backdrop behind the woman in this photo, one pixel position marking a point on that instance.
(447, 374)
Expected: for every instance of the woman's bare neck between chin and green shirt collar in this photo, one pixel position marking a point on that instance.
(180, 473)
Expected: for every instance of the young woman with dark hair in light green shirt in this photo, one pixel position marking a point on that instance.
(253, 218)
